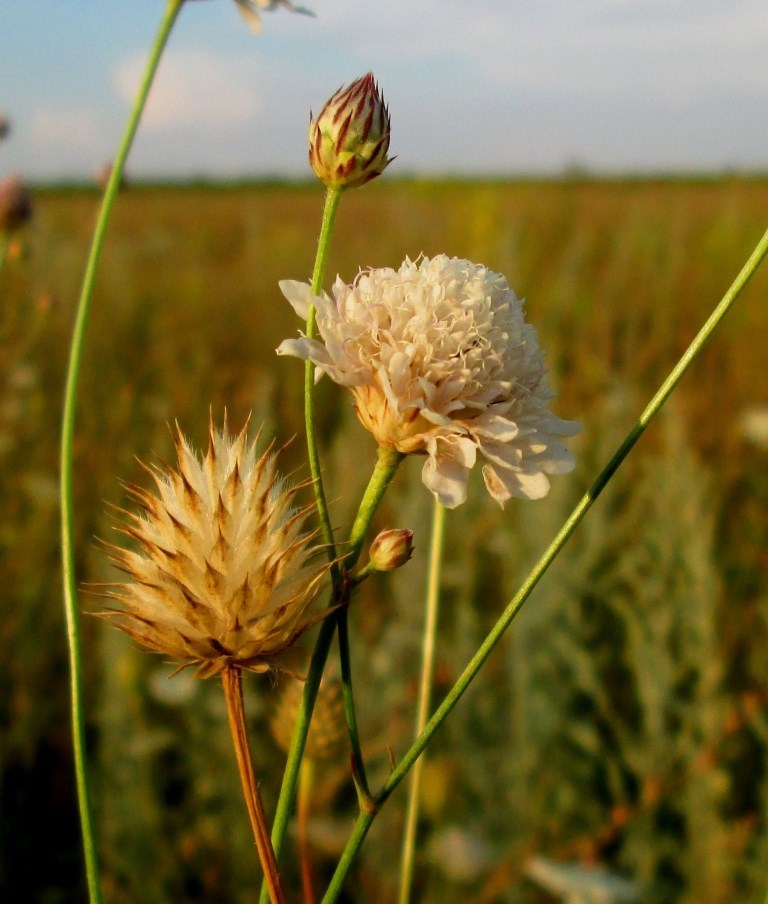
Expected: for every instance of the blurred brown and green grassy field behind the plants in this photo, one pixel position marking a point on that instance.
(624, 721)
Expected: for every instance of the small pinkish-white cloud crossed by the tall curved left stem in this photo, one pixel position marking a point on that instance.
(194, 88)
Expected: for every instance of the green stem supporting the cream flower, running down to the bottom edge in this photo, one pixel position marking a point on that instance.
(387, 463)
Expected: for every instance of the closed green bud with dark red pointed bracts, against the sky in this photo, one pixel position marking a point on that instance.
(348, 142)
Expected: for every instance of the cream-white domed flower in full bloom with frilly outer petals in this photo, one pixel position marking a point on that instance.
(441, 363)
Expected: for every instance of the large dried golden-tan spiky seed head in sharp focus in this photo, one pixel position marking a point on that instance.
(224, 574)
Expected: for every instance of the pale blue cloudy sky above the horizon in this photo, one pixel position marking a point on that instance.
(479, 87)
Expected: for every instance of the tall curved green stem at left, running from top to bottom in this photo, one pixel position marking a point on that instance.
(66, 453)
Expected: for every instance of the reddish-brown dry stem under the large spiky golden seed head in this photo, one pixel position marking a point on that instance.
(232, 681)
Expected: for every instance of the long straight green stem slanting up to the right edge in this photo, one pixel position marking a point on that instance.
(365, 819)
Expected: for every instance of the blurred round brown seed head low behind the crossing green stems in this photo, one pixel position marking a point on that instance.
(327, 733)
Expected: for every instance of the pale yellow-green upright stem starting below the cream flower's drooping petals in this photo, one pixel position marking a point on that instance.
(432, 608)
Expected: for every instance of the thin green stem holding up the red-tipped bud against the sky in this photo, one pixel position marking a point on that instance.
(332, 199)
